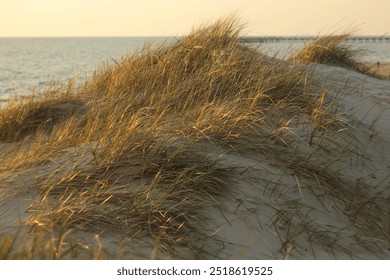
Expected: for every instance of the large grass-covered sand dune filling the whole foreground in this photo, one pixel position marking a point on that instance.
(204, 149)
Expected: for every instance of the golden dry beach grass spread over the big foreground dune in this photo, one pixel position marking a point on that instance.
(129, 153)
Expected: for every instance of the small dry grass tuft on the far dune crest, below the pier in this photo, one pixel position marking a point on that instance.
(331, 50)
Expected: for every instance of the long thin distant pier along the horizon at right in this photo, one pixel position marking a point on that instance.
(280, 39)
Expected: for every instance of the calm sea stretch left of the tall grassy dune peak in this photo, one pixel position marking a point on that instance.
(28, 64)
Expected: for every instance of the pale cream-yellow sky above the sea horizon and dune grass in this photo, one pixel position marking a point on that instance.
(47, 18)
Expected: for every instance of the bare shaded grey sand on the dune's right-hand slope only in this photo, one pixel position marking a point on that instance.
(247, 232)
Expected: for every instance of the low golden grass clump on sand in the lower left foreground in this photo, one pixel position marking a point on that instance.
(143, 194)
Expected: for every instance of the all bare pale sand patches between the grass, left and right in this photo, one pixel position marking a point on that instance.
(273, 215)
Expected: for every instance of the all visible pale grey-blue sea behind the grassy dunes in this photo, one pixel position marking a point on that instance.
(32, 64)
